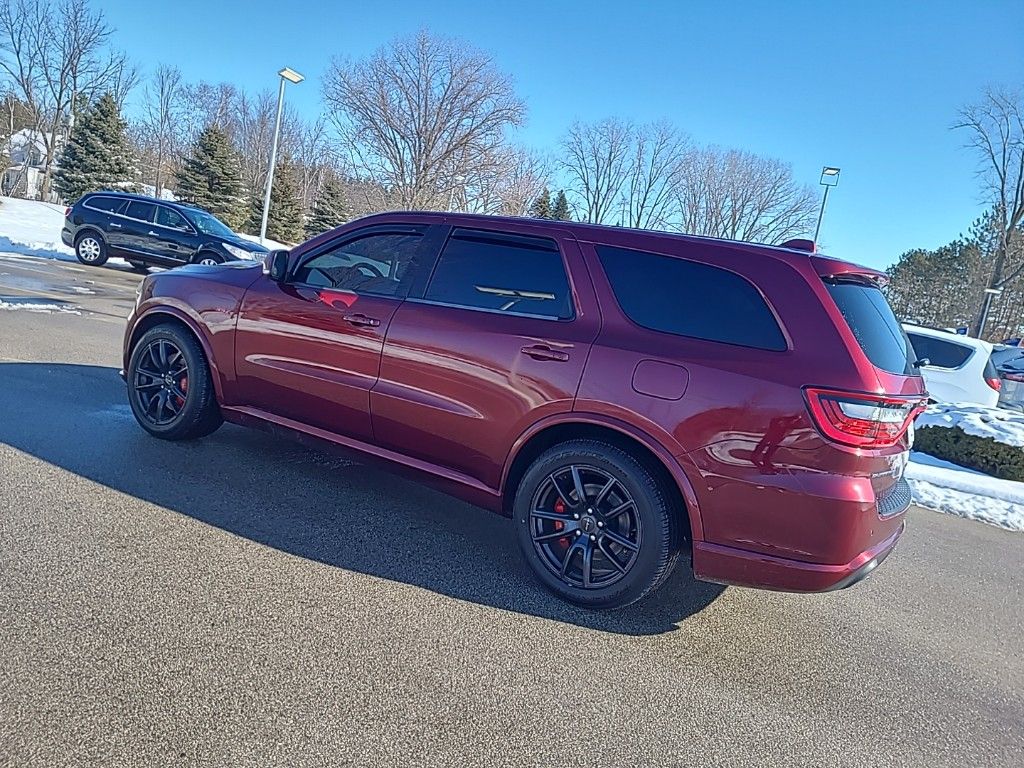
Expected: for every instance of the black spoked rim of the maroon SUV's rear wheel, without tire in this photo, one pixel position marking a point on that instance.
(585, 527)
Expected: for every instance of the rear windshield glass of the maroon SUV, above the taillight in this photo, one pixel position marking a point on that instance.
(874, 325)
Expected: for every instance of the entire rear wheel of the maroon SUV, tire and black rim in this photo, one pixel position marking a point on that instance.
(595, 526)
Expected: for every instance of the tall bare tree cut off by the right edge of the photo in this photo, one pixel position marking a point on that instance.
(996, 127)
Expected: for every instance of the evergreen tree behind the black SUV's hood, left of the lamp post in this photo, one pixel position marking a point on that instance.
(211, 178)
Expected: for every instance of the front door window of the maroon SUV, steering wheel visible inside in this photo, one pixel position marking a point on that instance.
(380, 264)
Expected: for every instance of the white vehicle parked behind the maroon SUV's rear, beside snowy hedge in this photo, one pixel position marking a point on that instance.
(960, 369)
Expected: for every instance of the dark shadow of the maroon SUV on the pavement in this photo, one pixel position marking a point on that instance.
(302, 502)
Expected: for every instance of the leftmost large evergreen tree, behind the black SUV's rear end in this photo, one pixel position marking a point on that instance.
(99, 156)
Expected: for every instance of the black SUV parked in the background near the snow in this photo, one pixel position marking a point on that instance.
(148, 232)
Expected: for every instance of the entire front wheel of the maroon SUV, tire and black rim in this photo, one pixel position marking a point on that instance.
(170, 389)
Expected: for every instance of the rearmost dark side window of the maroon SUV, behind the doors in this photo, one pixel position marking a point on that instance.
(687, 298)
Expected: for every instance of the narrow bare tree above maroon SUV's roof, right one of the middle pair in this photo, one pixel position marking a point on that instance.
(652, 177)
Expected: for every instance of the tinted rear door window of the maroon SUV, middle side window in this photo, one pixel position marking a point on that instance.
(505, 274)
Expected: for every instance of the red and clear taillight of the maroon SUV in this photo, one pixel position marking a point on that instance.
(862, 420)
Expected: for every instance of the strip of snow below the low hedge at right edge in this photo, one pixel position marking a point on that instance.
(957, 491)
